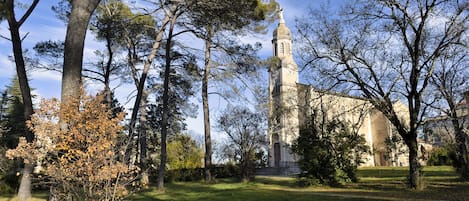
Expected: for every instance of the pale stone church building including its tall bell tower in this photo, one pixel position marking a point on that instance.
(291, 103)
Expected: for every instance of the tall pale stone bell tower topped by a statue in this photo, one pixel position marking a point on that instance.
(283, 97)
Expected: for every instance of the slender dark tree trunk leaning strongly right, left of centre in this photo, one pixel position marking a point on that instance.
(140, 88)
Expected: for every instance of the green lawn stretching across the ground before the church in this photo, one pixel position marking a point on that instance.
(384, 183)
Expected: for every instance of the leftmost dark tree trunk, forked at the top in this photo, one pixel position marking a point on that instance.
(24, 191)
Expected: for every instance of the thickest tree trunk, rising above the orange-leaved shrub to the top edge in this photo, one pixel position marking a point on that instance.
(74, 45)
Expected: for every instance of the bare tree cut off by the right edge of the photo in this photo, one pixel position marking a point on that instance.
(450, 84)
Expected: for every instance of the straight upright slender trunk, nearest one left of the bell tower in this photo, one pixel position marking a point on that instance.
(208, 141)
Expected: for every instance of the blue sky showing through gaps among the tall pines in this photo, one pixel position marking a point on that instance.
(43, 25)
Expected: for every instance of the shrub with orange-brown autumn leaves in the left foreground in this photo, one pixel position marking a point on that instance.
(77, 147)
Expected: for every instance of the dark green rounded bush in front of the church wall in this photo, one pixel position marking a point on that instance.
(330, 152)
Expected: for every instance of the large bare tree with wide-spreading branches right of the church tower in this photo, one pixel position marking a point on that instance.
(386, 51)
